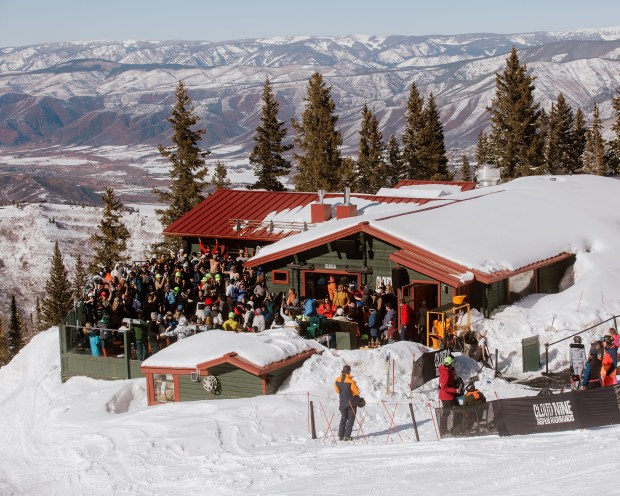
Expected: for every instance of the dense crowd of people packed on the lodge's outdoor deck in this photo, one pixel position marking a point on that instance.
(182, 293)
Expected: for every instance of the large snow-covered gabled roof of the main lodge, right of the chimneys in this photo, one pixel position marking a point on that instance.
(504, 227)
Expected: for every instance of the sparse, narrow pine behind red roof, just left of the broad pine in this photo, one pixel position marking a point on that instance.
(266, 157)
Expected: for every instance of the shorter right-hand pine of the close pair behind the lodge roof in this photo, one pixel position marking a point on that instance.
(432, 149)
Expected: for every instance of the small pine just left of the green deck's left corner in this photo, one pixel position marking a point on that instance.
(57, 301)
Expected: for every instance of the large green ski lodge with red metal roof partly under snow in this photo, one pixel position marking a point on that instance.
(430, 240)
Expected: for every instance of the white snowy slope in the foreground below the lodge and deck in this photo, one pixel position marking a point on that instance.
(89, 437)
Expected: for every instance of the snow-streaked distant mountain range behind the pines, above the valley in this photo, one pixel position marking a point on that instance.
(120, 93)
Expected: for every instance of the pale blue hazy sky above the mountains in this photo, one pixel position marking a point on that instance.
(24, 22)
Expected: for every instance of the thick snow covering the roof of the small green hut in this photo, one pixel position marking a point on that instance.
(261, 349)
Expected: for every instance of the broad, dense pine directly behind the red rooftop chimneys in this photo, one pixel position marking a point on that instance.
(318, 141)
